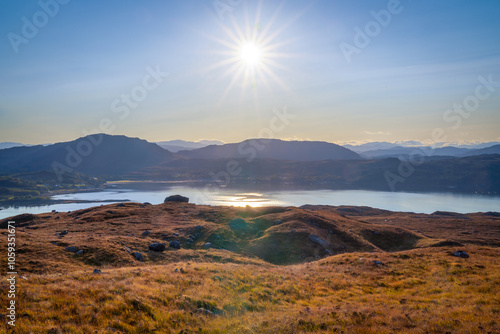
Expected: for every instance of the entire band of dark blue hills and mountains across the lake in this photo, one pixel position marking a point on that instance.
(260, 161)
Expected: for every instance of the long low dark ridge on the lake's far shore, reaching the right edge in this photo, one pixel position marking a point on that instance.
(477, 174)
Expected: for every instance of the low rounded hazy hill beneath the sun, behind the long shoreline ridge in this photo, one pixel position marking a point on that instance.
(274, 149)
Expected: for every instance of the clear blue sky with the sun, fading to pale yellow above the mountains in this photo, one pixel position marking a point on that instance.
(348, 71)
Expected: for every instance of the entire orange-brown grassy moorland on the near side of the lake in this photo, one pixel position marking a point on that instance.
(315, 269)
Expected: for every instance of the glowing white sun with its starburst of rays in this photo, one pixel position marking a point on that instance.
(252, 53)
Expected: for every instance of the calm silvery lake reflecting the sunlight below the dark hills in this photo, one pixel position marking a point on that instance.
(155, 193)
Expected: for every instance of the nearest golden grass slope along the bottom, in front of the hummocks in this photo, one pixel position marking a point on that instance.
(416, 291)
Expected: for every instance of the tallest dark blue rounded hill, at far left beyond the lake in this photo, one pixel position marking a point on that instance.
(95, 155)
